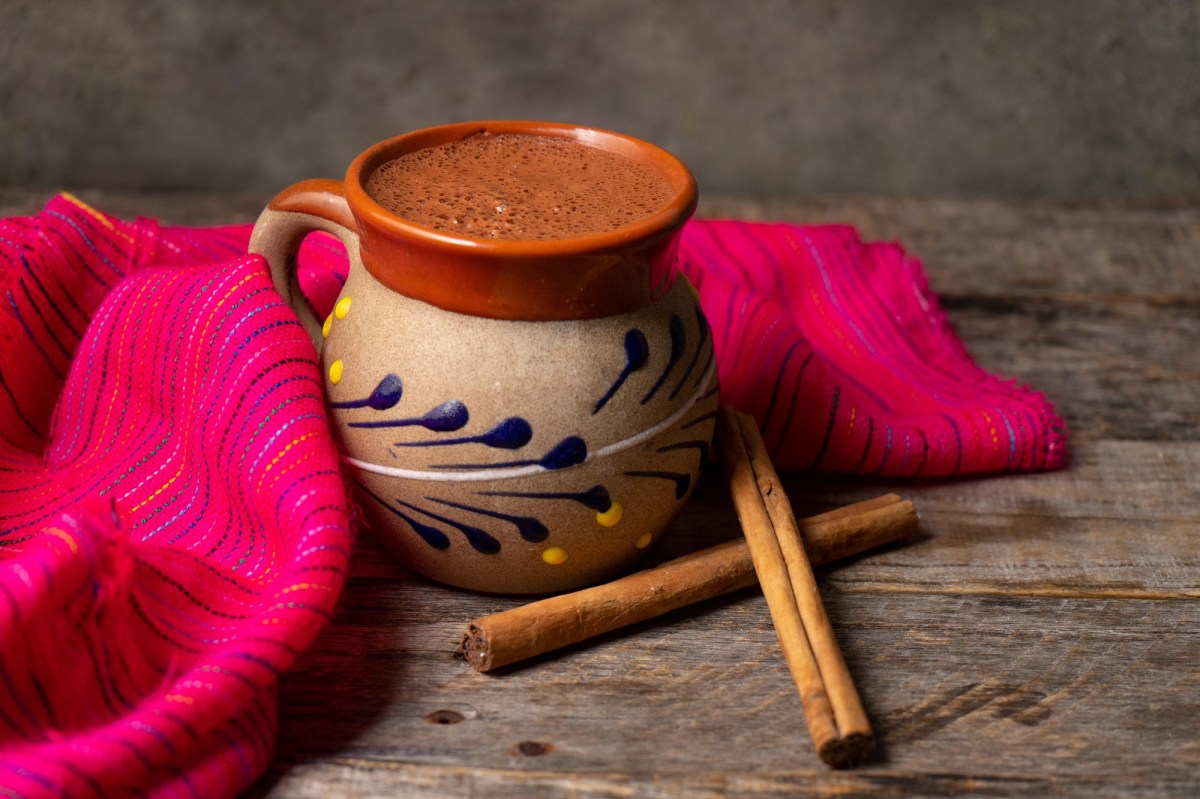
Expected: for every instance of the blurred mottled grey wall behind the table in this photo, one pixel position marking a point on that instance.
(763, 98)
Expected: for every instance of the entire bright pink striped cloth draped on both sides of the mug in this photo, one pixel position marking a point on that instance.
(173, 526)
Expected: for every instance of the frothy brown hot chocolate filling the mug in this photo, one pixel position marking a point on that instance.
(519, 187)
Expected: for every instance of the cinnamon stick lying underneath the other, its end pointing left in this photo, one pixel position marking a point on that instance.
(512, 636)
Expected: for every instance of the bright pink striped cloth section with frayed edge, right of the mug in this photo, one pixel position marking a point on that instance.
(845, 358)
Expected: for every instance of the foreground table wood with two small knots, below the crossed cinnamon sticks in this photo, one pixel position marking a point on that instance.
(980, 695)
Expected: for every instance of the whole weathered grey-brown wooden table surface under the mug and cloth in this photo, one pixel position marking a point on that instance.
(1040, 639)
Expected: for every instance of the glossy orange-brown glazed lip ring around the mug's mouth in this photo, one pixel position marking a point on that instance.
(673, 215)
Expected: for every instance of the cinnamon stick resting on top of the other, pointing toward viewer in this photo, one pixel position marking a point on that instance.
(835, 713)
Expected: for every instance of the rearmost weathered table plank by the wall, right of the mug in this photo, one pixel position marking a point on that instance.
(1001, 248)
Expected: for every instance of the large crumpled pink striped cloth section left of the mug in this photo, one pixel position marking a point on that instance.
(173, 526)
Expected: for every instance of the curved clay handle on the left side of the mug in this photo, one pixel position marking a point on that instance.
(317, 205)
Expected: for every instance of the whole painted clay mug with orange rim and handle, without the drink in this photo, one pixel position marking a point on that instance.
(519, 417)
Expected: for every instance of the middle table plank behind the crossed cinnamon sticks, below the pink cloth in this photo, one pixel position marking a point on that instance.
(1120, 522)
